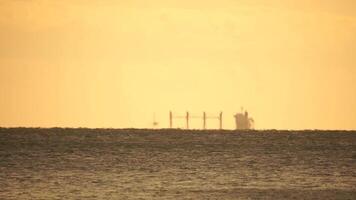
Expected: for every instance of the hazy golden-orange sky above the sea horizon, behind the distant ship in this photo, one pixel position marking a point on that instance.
(79, 63)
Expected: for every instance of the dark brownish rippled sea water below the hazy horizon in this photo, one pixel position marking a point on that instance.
(174, 164)
